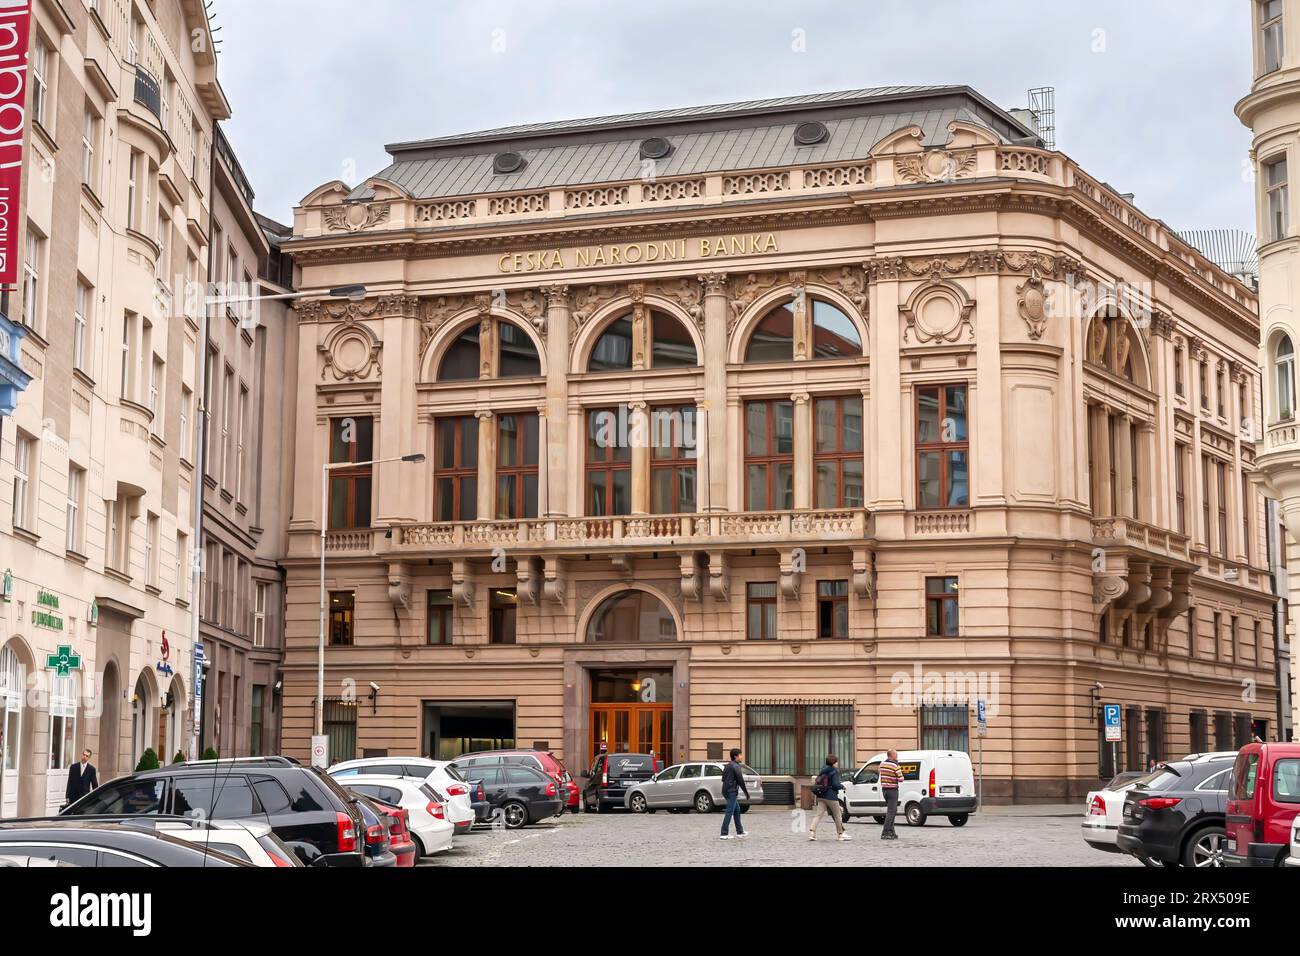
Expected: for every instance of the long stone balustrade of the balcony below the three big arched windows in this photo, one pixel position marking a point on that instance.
(558, 534)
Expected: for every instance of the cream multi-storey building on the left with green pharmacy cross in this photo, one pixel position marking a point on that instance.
(97, 461)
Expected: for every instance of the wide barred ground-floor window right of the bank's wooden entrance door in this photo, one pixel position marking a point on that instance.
(786, 739)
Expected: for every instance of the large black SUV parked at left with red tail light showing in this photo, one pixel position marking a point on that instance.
(307, 811)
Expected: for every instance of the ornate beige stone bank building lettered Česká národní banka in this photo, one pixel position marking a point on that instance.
(798, 425)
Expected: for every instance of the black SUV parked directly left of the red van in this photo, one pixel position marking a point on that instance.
(1175, 816)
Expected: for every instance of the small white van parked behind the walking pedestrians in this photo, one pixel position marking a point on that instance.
(935, 784)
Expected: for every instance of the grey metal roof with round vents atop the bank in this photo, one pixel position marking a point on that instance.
(705, 140)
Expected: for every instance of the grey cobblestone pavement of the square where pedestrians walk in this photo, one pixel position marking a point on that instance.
(1003, 837)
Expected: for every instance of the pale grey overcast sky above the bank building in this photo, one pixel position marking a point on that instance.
(1145, 92)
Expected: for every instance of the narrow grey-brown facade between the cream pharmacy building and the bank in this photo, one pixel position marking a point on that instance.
(248, 388)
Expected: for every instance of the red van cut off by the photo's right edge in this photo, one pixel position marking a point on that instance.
(1263, 806)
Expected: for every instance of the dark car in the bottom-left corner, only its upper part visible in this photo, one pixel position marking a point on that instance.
(103, 843)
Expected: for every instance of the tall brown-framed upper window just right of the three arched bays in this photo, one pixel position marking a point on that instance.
(943, 448)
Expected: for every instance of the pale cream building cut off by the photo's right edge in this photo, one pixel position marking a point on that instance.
(1272, 111)
